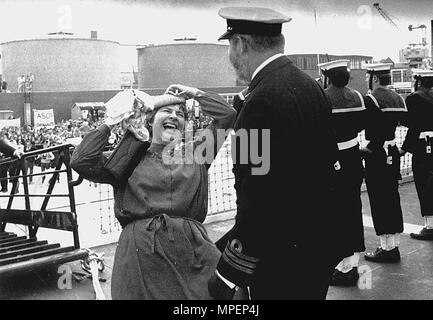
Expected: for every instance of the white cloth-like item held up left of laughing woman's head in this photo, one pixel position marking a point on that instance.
(120, 107)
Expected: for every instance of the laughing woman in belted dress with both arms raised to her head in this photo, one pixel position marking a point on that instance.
(163, 251)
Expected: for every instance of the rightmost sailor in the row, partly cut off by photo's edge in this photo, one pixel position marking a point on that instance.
(419, 142)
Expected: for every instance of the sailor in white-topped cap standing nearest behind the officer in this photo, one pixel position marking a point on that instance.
(349, 115)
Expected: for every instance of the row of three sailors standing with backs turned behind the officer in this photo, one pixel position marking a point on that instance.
(379, 113)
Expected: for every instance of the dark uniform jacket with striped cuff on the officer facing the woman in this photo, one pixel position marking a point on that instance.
(286, 209)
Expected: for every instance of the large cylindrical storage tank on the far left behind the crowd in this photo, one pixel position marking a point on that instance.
(63, 64)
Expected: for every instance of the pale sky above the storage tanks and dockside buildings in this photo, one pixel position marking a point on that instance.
(332, 26)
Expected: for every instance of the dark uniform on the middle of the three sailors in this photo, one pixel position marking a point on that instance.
(383, 165)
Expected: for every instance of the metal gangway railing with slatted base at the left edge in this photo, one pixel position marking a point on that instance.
(25, 251)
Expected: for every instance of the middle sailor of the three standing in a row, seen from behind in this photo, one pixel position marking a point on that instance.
(382, 164)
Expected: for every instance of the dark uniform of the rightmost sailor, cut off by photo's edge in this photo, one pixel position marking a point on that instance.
(419, 142)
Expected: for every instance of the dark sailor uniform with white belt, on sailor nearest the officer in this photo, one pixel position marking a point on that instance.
(349, 116)
